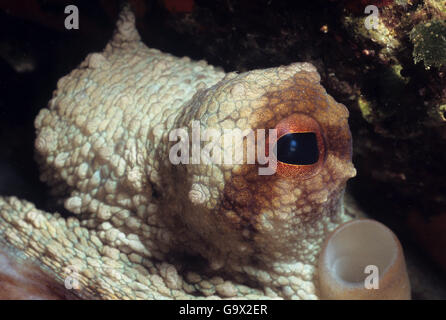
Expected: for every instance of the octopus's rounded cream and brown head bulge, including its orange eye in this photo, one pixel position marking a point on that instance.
(293, 146)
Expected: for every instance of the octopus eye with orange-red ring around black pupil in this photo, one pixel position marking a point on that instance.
(300, 147)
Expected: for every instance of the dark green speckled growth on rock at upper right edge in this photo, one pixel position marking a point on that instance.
(429, 40)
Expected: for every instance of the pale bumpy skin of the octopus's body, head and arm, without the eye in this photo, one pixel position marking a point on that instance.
(146, 228)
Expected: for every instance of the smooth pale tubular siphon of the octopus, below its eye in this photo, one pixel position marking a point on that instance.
(361, 247)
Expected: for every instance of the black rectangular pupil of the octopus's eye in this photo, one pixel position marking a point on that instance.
(298, 148)
